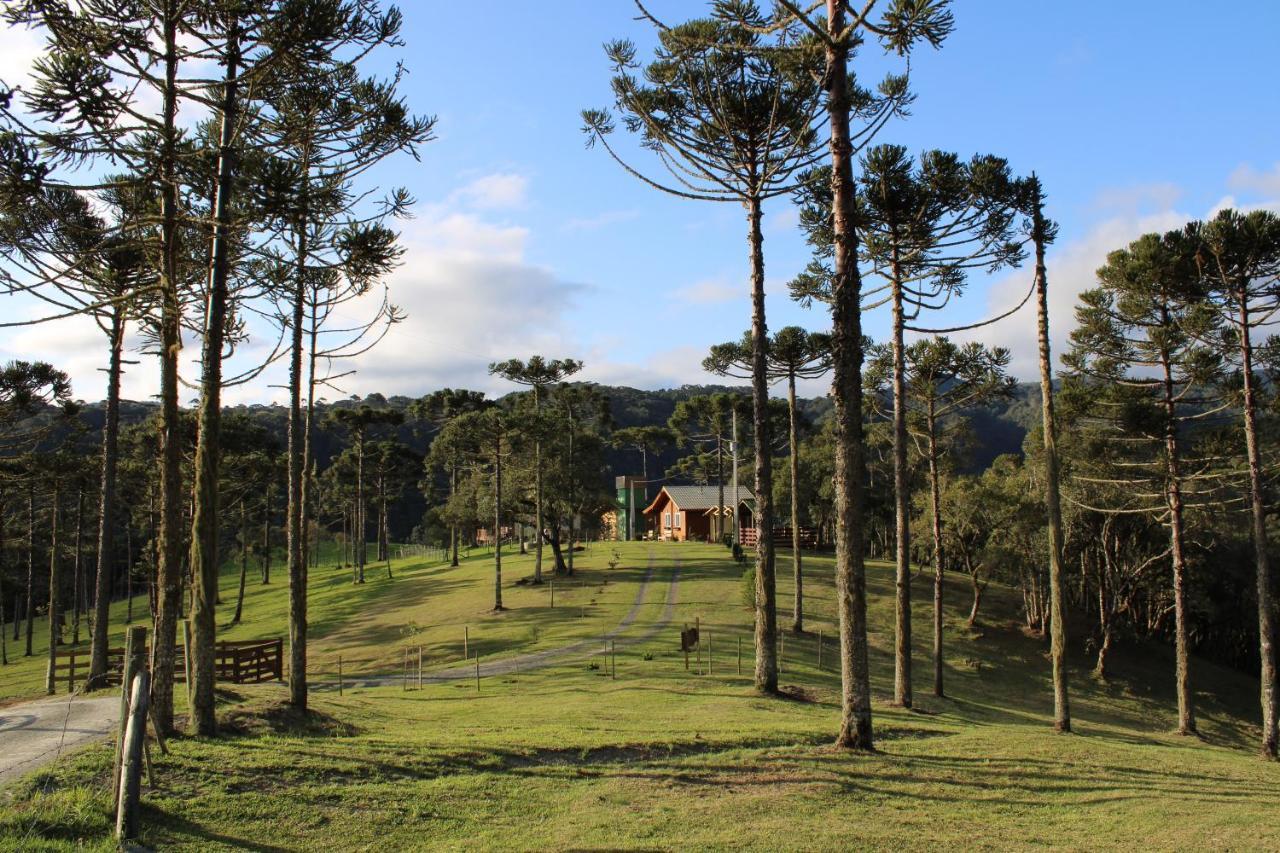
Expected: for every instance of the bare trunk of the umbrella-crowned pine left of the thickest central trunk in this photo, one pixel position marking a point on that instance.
(766, 586)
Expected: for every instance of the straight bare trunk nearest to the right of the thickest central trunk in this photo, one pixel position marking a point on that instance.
(902, 507)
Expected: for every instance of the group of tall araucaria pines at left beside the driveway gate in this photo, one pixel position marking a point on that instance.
(198, 172)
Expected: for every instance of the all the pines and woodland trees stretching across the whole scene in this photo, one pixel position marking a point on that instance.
(198, 171)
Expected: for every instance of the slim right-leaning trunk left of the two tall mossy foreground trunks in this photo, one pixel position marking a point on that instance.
(107, 507)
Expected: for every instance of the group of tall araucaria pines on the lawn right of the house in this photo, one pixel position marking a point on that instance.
(747, 106)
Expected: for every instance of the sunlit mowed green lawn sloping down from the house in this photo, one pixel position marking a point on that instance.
(568, 756)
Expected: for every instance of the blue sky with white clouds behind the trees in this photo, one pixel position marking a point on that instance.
(1137, 116)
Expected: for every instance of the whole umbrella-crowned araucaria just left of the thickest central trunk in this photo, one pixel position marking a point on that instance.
(734, 117)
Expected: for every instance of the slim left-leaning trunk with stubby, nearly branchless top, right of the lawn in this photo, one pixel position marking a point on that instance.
(1053, 499)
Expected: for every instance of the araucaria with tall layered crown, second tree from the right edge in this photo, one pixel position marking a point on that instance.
(1149, 381)
